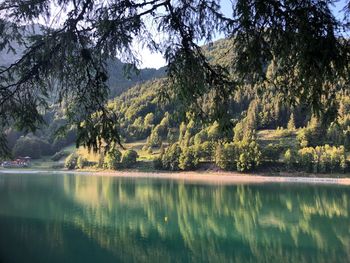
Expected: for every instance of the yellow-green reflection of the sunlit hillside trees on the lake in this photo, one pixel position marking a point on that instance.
(208, 217)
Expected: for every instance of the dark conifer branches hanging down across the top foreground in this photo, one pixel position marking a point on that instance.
(297, 49)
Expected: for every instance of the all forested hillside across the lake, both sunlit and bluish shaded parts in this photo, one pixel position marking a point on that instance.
(262, 128)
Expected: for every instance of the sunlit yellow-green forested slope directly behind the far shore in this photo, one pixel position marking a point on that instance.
(264, 131)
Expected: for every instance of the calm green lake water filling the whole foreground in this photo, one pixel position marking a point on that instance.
(80, 218)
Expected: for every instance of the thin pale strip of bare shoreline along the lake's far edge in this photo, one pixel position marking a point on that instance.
(210, 177)
